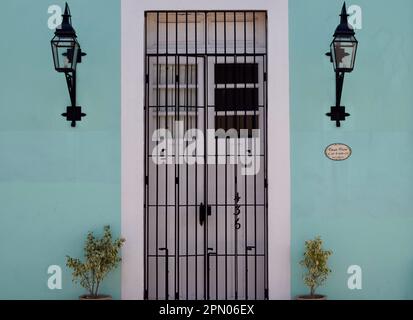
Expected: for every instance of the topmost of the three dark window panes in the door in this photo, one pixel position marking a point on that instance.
(236, 73)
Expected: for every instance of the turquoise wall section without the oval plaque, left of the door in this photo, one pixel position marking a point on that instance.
(56, 182)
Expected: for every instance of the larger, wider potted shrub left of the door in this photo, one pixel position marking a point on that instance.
(101, 256)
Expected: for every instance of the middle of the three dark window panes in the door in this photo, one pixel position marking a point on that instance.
(236, 99)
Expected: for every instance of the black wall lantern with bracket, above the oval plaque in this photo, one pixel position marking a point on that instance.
(342, 54)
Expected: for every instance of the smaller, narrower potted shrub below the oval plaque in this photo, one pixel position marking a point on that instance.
(315, 261)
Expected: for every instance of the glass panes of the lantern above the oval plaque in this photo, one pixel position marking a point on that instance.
(343, 50)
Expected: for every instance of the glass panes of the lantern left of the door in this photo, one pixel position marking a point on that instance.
(64, 51)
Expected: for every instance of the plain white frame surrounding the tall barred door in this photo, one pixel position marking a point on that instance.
(132, 133)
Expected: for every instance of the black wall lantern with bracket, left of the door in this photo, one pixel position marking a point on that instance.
(66, 55)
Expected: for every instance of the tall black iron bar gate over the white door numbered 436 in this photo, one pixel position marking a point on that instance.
(205, 212)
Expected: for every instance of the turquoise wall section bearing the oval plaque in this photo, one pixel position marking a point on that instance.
(361, 207)
